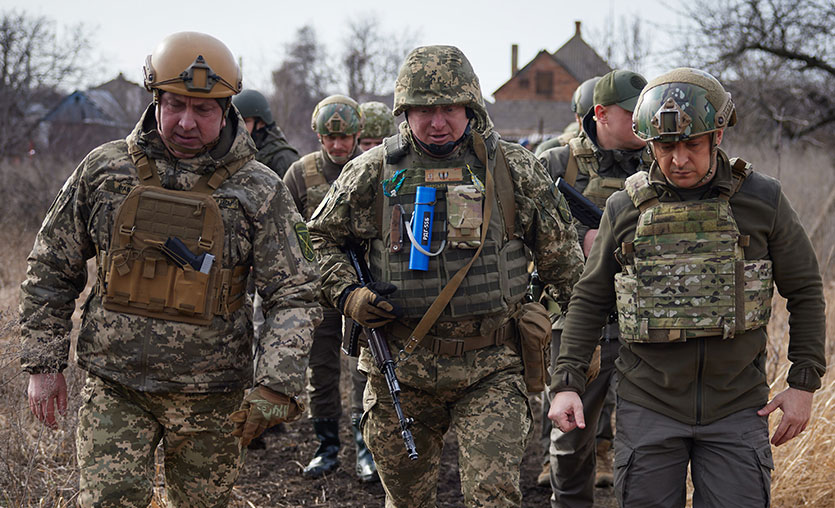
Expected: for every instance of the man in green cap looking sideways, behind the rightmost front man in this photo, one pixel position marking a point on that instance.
(596, 163)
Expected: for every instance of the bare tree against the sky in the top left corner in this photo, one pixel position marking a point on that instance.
(34, 61)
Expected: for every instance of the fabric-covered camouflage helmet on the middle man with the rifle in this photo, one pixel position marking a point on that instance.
(437, 76)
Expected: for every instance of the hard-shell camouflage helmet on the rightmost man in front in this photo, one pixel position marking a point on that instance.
(681, 104)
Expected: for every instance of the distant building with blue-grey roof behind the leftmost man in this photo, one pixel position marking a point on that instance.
(85, 119)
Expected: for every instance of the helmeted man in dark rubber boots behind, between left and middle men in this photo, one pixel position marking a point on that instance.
(337, 122)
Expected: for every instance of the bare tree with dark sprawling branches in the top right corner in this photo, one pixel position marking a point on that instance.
(776, 56)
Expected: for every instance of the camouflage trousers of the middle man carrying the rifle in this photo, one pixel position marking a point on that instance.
(480, 395)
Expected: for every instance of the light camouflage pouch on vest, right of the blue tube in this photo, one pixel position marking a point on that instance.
(464, 214)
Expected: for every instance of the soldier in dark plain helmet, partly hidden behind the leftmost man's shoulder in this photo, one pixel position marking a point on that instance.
(273, 148)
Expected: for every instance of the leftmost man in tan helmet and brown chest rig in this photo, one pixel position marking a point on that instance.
(167, 342)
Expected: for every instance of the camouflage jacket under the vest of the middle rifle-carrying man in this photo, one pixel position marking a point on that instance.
(348, 213)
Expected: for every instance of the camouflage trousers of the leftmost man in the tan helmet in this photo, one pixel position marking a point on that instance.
(119, 429)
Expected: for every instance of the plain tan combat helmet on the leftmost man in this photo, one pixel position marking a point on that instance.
(193, 64)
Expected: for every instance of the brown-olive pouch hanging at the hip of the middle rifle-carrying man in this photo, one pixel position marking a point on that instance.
(534, 326)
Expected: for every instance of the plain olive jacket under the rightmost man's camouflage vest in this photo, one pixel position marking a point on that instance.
(704, 379)
